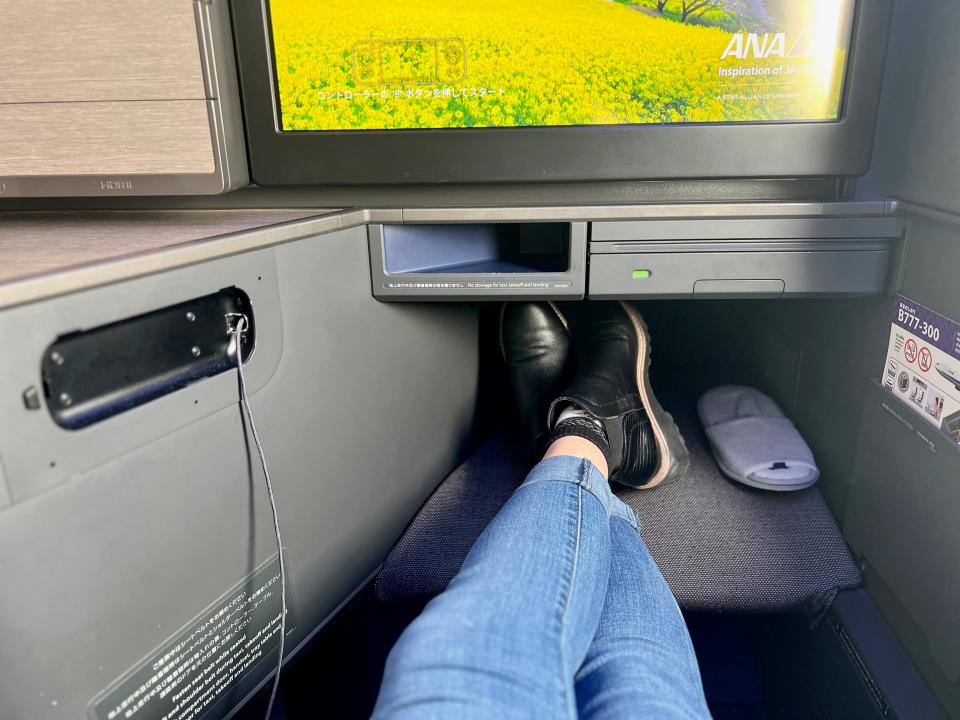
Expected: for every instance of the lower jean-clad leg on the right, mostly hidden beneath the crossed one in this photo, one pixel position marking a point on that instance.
(641, 661)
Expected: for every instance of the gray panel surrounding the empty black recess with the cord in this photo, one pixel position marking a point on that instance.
(37, 453)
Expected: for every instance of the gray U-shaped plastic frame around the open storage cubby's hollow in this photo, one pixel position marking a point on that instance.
(479, 286)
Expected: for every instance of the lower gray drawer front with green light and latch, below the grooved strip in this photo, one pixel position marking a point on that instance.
(680, 274)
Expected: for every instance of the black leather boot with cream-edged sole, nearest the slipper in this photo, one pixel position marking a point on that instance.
(612, 385)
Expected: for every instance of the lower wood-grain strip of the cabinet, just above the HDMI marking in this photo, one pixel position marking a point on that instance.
(110, 138)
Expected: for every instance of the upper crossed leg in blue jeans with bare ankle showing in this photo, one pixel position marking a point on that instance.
(506, 637)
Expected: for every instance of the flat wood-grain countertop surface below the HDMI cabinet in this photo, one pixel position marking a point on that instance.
(38, 243)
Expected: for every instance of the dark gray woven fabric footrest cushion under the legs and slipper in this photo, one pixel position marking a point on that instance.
(721, 546)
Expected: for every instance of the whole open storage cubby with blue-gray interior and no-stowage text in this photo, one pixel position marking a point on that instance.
(478, 261)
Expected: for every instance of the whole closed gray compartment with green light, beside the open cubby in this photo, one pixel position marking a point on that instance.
(740, 257)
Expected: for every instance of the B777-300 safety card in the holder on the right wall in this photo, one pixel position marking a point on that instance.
(923, 364)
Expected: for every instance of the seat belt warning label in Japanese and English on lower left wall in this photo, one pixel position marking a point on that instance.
(182, 679)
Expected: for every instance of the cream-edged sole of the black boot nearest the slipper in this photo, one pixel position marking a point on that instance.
(674, 457)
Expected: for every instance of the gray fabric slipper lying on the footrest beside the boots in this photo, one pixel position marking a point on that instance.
(753, 442)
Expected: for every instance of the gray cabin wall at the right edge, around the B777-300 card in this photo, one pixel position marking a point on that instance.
(912, 494)
